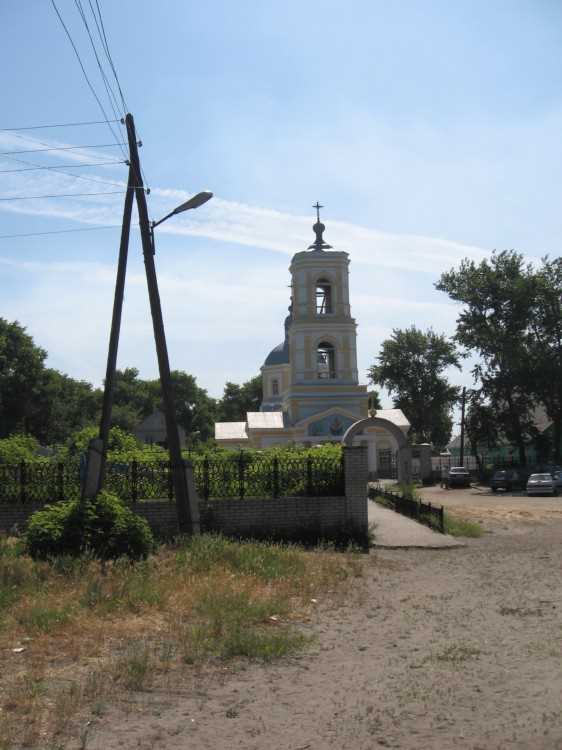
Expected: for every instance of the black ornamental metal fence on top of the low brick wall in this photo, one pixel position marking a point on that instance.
(237, 476)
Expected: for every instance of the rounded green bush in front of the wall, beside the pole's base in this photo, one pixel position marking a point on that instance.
(104, 527)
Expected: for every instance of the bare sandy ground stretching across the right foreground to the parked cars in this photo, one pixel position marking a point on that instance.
(433, 649)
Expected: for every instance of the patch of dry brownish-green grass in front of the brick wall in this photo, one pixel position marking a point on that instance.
(75, 633)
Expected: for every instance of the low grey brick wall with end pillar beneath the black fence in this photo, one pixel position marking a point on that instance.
(292, 518)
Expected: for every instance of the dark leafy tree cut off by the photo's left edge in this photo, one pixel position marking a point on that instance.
(21, 371)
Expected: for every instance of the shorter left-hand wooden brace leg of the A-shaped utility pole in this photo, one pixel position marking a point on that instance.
(97, 449)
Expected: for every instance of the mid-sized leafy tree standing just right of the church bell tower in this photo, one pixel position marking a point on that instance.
(411, 365)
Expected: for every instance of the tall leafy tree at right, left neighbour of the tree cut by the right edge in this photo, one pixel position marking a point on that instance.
(498, 297)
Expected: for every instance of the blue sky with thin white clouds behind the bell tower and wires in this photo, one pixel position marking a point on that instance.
(430, 131)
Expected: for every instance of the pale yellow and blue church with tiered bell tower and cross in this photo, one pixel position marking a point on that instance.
(311, 390)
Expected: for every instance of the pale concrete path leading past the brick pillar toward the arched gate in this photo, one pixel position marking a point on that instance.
(395, 531)
